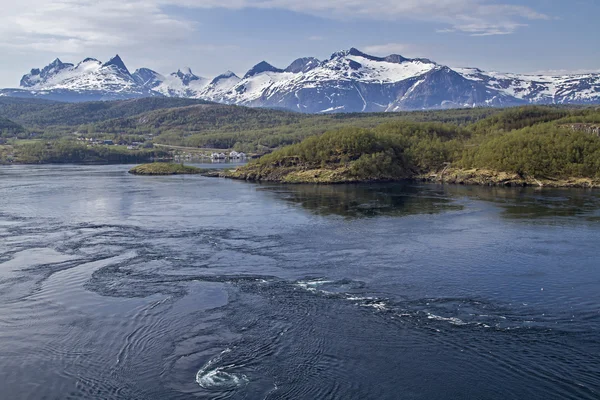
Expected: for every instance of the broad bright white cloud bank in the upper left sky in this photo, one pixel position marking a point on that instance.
(72, 26)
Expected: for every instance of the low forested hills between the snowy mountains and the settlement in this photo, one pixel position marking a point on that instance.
(193, 123)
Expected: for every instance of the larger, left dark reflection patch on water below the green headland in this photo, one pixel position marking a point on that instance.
(360, 200)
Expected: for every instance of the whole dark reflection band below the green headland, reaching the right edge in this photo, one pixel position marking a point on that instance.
(401, 199)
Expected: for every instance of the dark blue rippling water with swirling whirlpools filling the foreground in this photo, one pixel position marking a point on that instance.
(115, 286)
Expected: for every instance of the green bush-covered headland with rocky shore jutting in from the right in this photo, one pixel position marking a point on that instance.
(519, 147)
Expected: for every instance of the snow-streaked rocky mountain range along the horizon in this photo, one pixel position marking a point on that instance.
(349, 81)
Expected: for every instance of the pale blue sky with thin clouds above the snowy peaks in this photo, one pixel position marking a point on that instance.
(213, 36)
